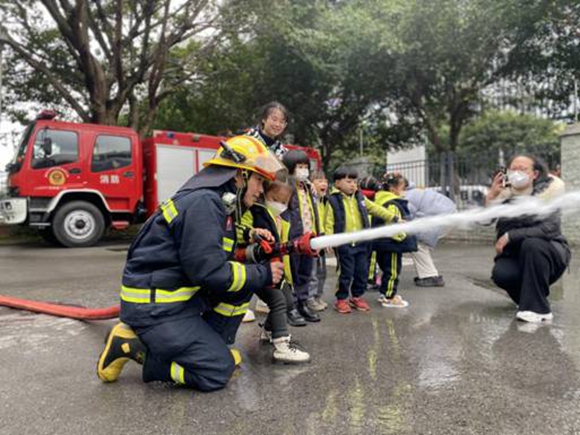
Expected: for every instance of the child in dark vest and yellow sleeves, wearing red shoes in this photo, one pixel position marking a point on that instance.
(347, 211)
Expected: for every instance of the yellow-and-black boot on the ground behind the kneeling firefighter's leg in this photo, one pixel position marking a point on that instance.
(121, 345)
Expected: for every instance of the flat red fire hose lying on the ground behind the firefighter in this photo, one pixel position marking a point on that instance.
(60, 310)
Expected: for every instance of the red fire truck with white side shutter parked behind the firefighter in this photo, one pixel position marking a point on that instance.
(73, 181)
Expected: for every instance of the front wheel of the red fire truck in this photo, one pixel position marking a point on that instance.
(77, 224)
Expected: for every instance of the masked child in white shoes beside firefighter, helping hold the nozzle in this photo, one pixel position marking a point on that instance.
(272, 216)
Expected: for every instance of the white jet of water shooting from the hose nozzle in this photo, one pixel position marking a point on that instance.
(525, 205)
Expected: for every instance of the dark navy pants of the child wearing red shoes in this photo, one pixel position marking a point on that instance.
(353, 270)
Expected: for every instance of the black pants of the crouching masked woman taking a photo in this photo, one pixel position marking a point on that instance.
(527, 272)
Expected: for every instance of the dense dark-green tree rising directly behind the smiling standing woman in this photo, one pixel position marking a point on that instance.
(310, 55)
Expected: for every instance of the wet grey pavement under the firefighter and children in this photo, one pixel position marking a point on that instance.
(454, 362)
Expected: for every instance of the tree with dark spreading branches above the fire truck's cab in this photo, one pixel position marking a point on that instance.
(105, 56)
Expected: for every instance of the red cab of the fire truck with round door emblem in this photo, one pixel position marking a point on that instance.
(72, 181)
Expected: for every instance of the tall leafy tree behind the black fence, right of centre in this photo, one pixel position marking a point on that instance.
(440, 54)
